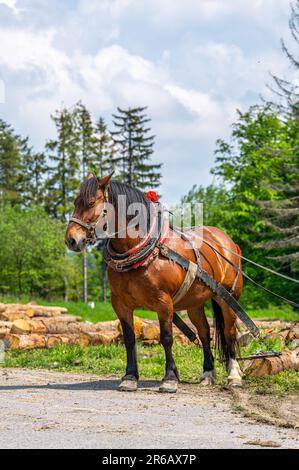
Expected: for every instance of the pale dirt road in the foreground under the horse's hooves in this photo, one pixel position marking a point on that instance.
(45, 409)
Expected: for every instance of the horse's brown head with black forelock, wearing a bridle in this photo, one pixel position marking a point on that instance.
(90, 213)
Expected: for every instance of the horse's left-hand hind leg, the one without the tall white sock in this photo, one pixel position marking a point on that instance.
(199, 320)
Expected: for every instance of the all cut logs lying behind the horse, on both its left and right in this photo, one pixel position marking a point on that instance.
(34, 326)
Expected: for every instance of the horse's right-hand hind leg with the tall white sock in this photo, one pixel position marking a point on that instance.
(227, 333)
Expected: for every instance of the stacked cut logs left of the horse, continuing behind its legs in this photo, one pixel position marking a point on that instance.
(33, 326)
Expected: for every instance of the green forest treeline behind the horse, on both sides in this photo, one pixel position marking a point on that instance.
(254, 196)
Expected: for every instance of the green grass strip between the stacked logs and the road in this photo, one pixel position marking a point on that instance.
(110, 360)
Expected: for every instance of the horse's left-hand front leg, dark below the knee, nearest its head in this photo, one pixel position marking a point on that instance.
(125, 315)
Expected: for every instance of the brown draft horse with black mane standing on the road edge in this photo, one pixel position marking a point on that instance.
(153, 285)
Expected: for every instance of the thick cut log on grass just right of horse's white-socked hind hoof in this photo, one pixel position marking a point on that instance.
(289, 359)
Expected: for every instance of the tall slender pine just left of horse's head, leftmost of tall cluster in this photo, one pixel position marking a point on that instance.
(63, 181)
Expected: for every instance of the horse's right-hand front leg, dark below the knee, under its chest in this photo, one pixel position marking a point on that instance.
(171, 378)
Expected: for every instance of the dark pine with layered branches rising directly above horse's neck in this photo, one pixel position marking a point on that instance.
(132, 136)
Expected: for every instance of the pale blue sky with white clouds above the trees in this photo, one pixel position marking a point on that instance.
(192, 62)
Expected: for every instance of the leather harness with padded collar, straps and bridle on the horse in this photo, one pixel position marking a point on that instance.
(152, 246)
